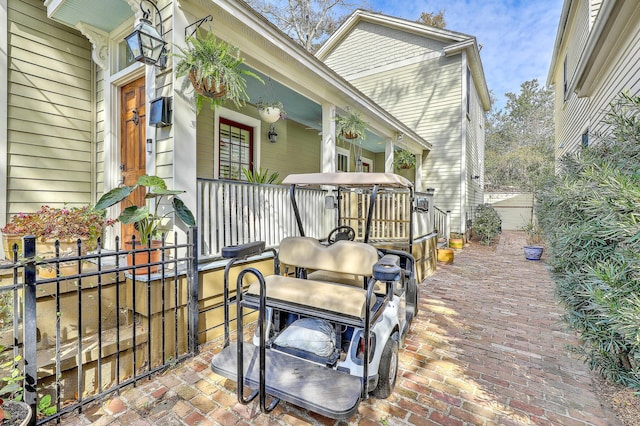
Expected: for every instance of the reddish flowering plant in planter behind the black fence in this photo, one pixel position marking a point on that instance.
(64, 224)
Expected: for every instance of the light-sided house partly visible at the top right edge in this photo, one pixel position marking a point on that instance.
(595, 58)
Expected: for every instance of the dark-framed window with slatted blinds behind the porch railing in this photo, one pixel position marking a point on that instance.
(236, 149)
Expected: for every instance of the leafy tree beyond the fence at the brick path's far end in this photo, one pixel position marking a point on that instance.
(520, 139)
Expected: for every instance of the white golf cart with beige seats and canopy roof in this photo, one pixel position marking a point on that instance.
(334, 313)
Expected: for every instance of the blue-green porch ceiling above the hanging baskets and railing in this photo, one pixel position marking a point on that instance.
(300, 108)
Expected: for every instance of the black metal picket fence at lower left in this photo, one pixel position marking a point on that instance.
(81, 325)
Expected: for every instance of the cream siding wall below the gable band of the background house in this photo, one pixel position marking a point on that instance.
(427, 97)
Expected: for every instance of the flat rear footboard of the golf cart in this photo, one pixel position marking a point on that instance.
(328, 392)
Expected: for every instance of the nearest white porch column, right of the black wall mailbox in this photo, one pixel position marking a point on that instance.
(184, 126)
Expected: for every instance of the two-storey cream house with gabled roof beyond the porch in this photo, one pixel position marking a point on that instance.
(432, 80)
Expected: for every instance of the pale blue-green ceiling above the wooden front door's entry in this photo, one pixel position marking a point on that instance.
(101, 14)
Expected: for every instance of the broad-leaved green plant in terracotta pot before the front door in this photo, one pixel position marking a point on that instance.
(146, 219)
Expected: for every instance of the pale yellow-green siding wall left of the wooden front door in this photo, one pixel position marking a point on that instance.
(49, 125)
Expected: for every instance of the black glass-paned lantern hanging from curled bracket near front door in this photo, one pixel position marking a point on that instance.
(145, 42)
